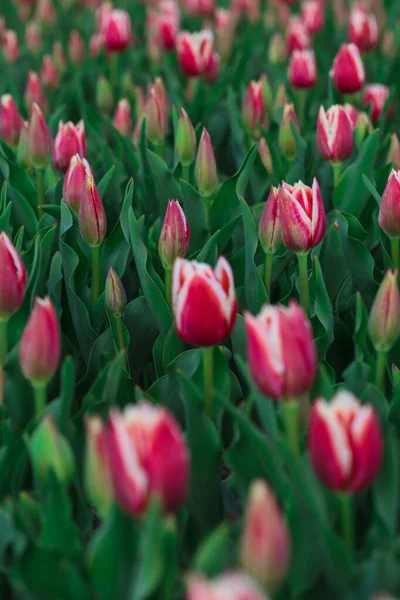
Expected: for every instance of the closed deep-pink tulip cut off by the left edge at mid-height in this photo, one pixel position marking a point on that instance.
(12, 278)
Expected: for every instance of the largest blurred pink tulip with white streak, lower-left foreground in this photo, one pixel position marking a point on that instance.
(147, 456)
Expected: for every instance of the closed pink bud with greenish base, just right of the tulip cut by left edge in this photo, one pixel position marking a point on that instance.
(39, 349)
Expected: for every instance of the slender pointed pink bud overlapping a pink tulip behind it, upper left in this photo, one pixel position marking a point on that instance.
(92, 217)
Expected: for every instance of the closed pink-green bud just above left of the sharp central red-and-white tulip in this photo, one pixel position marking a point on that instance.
(174, 236)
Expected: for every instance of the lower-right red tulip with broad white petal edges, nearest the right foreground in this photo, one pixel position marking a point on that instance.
(345, 443)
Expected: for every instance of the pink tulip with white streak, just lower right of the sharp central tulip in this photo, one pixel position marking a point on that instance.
(281, 351)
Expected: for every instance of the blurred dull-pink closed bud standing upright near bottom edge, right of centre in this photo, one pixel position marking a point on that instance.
(265, 541)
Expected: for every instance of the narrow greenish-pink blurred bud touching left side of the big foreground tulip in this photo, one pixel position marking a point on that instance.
(97, 475)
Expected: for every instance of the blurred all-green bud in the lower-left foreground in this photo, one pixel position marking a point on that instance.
(50, 451)
